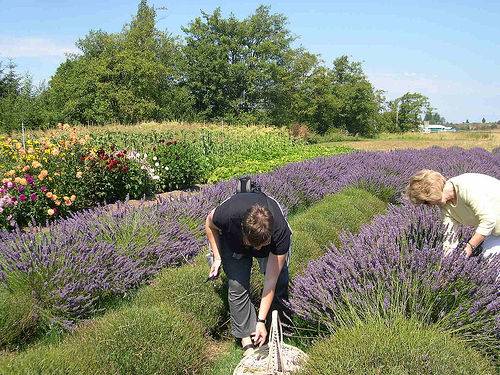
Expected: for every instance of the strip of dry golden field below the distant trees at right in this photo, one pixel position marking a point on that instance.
(470, 139)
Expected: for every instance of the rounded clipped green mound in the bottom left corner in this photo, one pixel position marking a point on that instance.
(131, 340)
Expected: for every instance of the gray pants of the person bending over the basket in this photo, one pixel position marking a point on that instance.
(243, 314)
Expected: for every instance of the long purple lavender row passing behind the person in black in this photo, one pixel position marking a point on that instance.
(71, 266)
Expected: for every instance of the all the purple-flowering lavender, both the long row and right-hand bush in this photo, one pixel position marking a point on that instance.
(71, 269)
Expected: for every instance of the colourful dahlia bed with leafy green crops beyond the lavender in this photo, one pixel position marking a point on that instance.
(69, 169)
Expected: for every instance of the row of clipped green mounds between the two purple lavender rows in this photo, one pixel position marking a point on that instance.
(184, 290)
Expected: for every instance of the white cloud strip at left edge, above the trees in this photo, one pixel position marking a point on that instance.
(15, 47)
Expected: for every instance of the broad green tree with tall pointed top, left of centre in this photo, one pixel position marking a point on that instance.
(125, 77)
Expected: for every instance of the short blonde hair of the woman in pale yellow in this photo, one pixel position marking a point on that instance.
(426, 186)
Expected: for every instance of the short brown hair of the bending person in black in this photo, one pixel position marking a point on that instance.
(257, 225)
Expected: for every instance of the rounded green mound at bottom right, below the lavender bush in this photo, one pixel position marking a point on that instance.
(395, 348)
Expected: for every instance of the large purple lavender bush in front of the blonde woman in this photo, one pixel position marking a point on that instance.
(394, 266)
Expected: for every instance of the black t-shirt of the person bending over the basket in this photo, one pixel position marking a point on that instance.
(229, 216)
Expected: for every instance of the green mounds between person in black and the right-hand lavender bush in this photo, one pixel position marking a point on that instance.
(321, 224)
